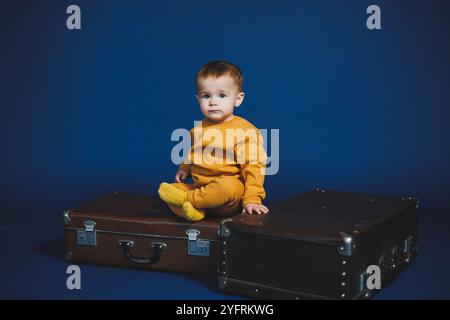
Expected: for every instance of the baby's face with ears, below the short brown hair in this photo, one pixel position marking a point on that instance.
(218, 97)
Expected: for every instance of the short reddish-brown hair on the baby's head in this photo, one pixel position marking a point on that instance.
(220, 68)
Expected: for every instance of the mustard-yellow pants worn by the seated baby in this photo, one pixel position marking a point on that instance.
(222, 196)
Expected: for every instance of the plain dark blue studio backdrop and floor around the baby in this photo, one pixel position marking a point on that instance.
(91, 111)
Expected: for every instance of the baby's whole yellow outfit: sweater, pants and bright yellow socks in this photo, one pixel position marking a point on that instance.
(223, 181)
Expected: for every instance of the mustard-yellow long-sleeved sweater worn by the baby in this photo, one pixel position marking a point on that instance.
(232, 148)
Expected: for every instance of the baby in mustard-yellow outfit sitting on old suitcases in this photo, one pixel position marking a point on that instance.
(226, 160)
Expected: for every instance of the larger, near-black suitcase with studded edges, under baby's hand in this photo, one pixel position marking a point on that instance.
(318, 245)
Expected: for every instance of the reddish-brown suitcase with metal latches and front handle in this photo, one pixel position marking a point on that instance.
(129, 230)
